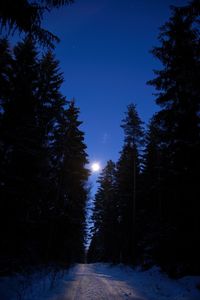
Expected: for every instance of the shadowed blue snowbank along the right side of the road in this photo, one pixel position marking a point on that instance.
(153, 284)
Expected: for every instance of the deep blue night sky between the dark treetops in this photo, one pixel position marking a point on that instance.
(105, 56)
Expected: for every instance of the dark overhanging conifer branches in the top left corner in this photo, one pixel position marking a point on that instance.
(26, 16)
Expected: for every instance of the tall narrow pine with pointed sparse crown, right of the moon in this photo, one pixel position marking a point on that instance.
(128, 183)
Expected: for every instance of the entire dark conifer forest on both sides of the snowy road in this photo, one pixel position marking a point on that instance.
(146, 209)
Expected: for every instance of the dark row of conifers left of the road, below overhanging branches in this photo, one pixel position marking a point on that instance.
(43, 174)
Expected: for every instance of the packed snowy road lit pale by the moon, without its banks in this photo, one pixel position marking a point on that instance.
(89, 283)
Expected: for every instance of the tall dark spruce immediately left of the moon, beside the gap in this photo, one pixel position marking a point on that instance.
(72, 189)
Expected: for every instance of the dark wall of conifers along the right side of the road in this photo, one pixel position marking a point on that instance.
(147, 205)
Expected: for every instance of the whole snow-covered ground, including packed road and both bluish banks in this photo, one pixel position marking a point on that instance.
(99, 281)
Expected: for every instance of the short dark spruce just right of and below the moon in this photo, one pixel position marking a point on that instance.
(104, 244)
